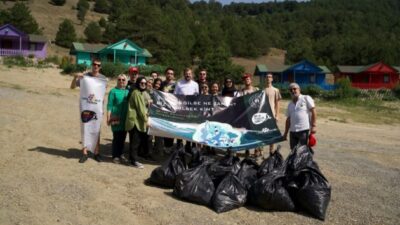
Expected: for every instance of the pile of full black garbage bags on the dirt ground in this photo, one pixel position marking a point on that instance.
(228, 183)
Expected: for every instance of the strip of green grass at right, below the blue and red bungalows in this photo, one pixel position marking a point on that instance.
(360, 110)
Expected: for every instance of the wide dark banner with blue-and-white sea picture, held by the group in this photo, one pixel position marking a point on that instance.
(222, 122)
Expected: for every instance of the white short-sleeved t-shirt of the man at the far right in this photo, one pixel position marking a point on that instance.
(299, 113)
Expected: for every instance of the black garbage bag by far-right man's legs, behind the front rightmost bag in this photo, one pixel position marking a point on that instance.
(299, 158)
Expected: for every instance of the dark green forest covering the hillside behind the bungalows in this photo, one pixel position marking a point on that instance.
(181, 33)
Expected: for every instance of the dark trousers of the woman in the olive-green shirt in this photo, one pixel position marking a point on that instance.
(138, 144)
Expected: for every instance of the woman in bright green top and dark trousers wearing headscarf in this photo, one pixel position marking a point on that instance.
(117, 107)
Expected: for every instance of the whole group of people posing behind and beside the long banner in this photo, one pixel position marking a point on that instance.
(128, 102)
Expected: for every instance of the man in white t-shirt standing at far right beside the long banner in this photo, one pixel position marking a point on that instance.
(301, 117)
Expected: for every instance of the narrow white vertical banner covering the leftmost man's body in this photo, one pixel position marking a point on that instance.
(92, 91)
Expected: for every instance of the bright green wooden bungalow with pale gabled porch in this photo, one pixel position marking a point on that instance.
(124, 51)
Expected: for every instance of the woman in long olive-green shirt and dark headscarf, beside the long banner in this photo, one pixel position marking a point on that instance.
(136, 123)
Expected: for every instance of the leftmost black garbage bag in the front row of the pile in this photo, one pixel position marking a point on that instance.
(195, 185)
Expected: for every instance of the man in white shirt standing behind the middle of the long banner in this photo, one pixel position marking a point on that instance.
(186, 86)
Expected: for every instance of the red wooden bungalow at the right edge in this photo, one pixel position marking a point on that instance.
(375, 76)
